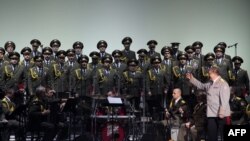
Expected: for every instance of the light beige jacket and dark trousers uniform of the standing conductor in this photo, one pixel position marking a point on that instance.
(218, 94)
